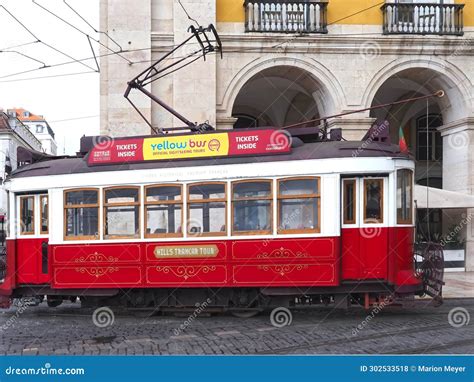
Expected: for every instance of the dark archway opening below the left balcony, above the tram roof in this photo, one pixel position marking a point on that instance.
(279, 96)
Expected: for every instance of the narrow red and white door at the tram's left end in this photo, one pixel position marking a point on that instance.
(32, 239)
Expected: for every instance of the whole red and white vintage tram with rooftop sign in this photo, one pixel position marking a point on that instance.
(248, 220)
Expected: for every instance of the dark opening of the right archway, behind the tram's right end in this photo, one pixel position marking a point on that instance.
(419, 122)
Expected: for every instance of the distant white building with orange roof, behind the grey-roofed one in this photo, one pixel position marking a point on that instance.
(39, 127)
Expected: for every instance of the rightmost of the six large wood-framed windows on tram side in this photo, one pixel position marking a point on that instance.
(298, 205)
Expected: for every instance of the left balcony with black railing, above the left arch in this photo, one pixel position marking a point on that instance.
(286, 16)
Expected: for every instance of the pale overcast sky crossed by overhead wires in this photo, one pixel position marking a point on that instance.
(69, 97)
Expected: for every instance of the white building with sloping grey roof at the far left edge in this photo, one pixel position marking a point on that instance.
(13, 135)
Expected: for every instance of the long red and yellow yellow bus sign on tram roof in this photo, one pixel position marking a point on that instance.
(233, 143)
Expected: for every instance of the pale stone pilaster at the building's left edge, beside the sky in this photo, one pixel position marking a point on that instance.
(129, 24)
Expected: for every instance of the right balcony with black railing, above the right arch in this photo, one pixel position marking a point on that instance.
(423, 19)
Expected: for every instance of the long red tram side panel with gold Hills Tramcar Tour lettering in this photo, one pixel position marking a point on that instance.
(227, 263)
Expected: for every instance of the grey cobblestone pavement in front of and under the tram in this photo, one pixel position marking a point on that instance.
(68, 329)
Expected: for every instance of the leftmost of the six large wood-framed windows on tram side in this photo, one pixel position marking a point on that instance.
(81, 214)
